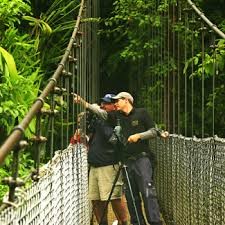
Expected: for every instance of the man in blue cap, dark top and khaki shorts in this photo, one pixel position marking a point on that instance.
(104, 168)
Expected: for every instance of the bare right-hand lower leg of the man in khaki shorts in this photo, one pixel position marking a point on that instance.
(120, 210)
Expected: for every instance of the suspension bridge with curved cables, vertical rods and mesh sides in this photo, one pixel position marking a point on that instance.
(189, 169)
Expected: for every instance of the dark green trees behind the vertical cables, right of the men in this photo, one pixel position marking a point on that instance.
(136, 31)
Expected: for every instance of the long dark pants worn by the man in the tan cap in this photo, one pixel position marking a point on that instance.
(140, 176)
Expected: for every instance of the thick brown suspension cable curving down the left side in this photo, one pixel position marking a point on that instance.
(17, 132)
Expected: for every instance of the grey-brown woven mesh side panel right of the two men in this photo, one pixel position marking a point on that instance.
(190, 175)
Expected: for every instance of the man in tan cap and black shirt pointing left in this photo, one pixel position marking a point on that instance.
(137, 128)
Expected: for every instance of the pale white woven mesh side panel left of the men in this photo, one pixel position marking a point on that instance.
(59, 197)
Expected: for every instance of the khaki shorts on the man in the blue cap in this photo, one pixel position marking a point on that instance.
(101, 181)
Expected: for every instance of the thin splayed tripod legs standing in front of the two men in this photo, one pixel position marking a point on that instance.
(123, 168)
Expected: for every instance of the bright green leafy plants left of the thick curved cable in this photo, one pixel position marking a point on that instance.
(33, 36)
